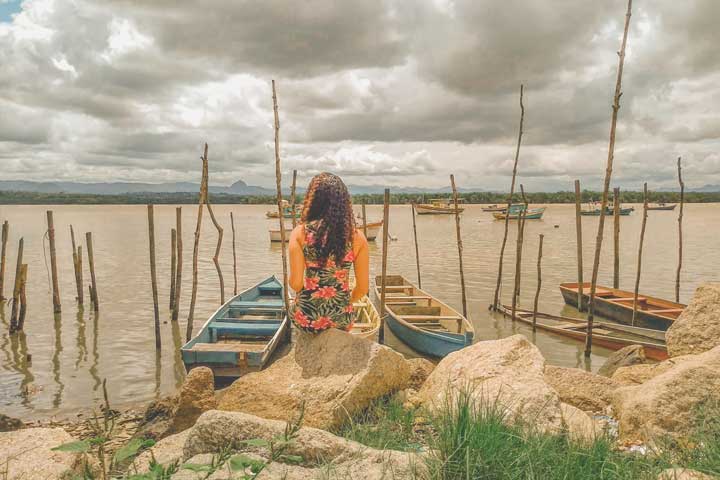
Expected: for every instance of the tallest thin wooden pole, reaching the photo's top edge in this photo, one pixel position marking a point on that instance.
(608, 176)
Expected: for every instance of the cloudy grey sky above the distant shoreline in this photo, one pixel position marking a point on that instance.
(394, 92)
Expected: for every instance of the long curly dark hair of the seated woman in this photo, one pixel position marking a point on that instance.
(328, 202)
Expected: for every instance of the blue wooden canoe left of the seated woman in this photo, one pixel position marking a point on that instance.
(242, 334)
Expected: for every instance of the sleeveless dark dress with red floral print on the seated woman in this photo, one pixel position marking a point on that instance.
(324, 301)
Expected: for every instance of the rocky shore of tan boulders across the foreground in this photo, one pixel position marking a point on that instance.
(278, 423)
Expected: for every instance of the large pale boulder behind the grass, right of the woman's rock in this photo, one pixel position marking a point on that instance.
(507, 373)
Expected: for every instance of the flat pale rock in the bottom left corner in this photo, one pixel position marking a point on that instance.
(27, 453)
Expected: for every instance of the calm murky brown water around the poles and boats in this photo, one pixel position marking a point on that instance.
(72, 352)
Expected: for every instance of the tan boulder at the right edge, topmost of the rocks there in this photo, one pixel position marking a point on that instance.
(697, 329)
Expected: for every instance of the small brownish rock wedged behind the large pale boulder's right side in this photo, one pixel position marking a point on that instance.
(584, 390)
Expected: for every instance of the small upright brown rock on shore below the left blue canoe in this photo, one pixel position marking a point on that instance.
(197, 395)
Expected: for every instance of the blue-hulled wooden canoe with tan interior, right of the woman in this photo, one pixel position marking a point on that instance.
(421, 321)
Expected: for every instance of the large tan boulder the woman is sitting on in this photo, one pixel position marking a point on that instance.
(334, 374)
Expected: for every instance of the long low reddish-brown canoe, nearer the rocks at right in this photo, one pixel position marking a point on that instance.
(605, 334)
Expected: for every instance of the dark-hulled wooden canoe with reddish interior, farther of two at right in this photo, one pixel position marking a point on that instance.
(617, 305)
